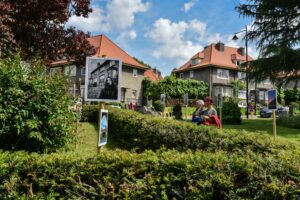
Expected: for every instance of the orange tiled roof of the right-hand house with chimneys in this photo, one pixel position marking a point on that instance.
(211, 56)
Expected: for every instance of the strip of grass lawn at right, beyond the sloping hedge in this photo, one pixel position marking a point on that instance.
(265, 125)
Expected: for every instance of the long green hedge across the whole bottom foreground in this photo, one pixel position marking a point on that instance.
(161, 175)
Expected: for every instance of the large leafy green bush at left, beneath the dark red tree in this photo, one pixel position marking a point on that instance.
(34, 108)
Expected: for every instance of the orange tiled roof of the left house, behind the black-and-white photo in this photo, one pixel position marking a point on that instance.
(105, 47)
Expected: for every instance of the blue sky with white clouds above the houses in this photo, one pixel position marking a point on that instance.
(165, 33)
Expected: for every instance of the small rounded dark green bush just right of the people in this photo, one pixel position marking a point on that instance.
(231, 113)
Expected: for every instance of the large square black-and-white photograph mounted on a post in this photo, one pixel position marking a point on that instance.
(103, 79)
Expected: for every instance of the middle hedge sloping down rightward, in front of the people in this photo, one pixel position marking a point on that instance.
(133, 130)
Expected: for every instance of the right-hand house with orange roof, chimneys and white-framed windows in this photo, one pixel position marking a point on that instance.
(219, 65)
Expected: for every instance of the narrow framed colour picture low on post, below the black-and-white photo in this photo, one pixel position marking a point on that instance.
(103, 128)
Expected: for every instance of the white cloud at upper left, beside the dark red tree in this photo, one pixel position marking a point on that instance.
(118, 16)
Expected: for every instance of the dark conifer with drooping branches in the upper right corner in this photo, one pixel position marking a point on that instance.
(276, 29)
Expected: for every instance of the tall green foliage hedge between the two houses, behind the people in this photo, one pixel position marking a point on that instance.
(175, 88)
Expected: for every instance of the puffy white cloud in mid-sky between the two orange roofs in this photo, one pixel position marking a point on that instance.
(172, 40)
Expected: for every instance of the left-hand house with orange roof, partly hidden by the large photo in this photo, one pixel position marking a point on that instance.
(132, 71)
